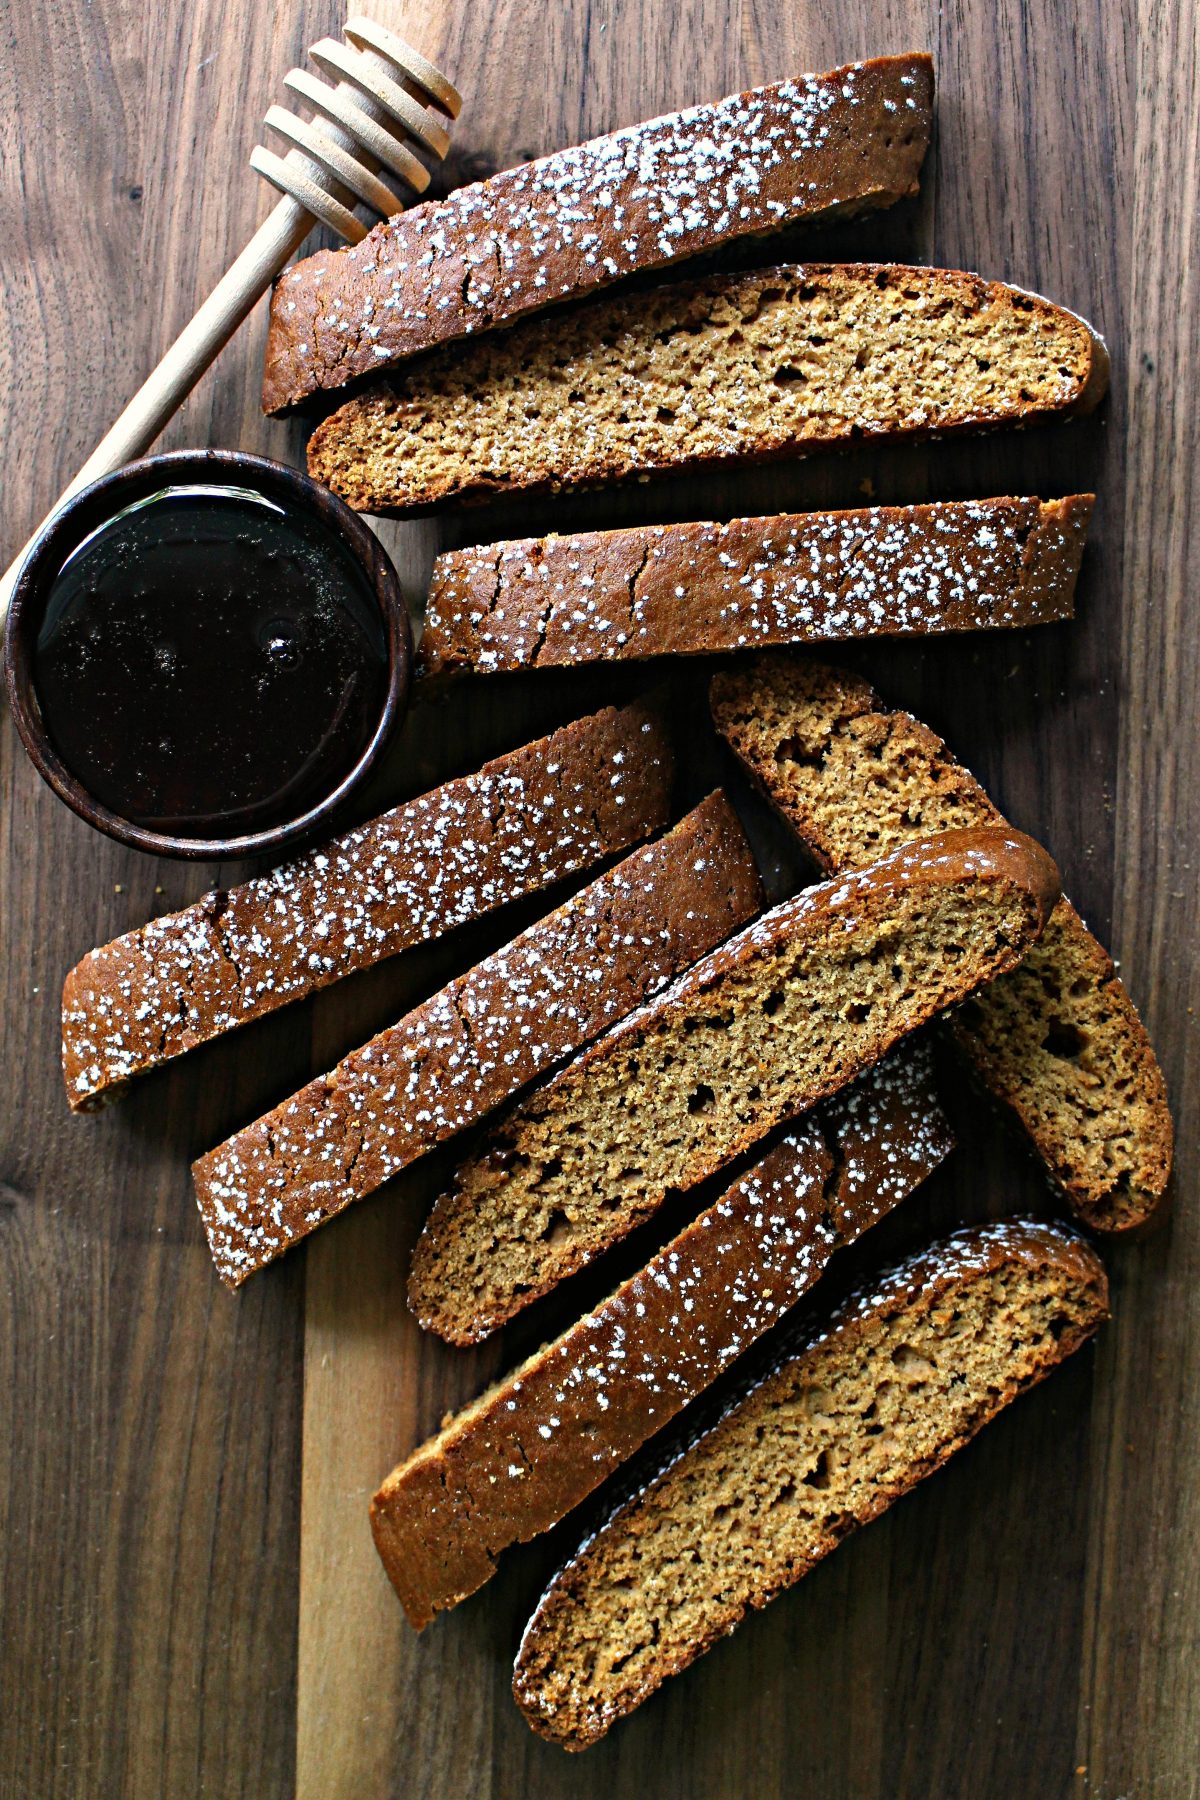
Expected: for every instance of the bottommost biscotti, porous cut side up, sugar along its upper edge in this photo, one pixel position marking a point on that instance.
(827, 1441)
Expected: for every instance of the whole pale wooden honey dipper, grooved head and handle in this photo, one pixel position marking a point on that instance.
(381, 96)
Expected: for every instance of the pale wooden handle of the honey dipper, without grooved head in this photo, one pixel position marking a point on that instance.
(199, 343)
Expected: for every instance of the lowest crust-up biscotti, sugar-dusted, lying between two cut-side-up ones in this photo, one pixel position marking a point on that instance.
(544, 1439)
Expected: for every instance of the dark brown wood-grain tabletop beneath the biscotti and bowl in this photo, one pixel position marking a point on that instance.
(190, 1599)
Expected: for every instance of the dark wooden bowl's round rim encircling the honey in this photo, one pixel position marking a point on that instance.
(91, 510)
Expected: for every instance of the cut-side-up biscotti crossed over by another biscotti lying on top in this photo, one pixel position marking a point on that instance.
(1059, 1041)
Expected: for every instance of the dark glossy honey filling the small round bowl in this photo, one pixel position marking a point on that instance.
(210, 665)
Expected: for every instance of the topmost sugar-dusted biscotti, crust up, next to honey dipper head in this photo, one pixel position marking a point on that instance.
(805, 150)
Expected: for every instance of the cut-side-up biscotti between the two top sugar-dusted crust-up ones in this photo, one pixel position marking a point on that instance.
(731, 368)
